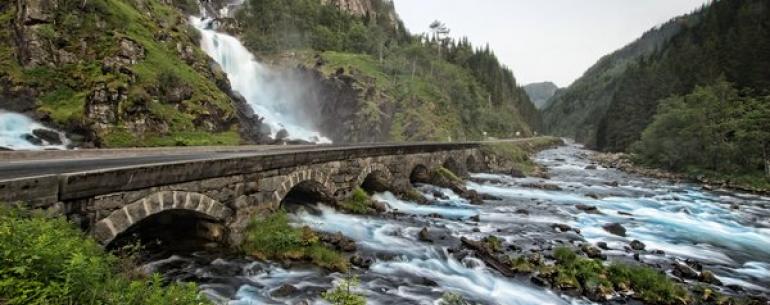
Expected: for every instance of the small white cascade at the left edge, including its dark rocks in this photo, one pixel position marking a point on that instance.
(19, 132)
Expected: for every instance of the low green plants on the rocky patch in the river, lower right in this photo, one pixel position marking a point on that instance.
(649, 285)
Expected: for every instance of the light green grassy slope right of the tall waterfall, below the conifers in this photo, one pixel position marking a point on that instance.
(424, 100)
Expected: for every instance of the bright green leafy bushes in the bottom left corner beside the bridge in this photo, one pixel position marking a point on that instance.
(49, 261)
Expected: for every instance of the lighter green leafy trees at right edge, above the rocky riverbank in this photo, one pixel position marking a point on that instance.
(715, 131)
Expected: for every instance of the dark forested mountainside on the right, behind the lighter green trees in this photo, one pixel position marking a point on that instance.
(610, 106)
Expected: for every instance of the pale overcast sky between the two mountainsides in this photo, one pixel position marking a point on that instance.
(545, 40)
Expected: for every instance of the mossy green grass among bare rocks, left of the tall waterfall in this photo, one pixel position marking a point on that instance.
(63, 89)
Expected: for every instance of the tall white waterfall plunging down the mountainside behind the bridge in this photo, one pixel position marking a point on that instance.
(273, 96)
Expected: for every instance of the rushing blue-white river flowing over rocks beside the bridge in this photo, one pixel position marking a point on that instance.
(727, 233)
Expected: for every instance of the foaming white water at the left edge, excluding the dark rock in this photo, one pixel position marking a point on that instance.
(13, 128)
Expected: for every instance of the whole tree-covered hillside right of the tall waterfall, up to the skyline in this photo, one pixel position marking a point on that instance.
(440, 87)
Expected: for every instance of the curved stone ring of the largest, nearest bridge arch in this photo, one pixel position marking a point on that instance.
(187, 205)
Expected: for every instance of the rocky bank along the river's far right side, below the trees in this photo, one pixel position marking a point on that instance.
(710, 181)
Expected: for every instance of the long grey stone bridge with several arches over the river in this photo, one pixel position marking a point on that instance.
(226, 193)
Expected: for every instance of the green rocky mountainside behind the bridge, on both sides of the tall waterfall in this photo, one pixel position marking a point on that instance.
(130, 73)
